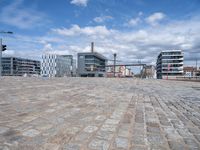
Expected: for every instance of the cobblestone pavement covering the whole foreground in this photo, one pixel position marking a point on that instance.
(99, 114)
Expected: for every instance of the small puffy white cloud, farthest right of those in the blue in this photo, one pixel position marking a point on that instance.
(155, 18)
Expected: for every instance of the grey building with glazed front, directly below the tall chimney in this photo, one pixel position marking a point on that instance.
(91, 64)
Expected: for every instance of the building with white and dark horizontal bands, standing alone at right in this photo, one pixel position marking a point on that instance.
(170, 64)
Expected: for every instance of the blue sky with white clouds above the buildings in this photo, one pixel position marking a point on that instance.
(134, 29)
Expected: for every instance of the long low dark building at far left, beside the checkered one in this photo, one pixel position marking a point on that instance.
(13, 66)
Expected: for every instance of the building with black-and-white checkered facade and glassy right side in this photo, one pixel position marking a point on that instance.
(57, 65)
